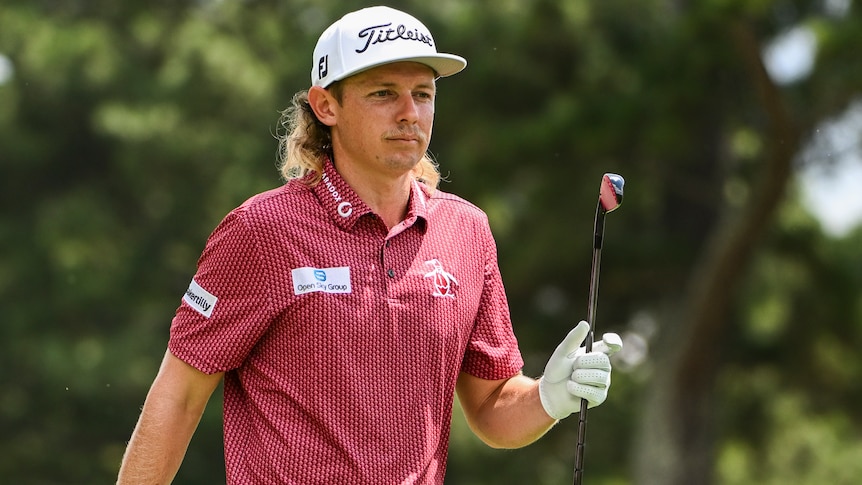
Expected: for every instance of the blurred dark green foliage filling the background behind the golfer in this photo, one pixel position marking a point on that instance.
(128, 129)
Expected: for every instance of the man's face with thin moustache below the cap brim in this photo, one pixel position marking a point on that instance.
(385, 118)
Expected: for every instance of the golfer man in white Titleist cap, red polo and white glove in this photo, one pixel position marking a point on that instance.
(346, 308)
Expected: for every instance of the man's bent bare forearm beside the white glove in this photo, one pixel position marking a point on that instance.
(511, 416)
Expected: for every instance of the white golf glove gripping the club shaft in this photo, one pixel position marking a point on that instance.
(571, 373)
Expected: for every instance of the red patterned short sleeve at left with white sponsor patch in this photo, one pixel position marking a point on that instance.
(226, 309)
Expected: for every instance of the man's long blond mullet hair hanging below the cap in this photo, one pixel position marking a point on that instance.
(306, 143)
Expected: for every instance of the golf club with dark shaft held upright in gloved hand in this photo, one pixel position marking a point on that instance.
(610, 198)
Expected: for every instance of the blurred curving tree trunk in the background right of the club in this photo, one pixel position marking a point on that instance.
(677, 441)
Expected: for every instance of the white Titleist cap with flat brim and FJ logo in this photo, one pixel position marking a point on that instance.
(374, 36)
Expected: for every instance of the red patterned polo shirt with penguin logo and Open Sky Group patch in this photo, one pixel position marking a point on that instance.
(342, 340)
